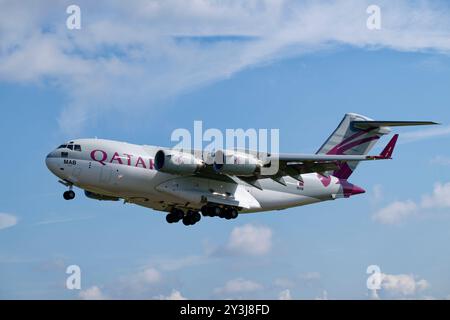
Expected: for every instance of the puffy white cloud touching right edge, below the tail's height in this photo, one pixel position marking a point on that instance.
(398, 211)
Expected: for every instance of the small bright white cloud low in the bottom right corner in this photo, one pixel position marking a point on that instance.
(403, 284)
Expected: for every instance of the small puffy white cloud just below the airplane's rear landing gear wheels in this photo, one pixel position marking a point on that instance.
(250, 240)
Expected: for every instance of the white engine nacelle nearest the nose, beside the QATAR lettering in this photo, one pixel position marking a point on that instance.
(177, 162)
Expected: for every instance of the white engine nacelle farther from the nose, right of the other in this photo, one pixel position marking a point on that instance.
(236, 163)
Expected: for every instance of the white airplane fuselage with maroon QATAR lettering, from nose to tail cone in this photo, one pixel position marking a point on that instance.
(127, 171)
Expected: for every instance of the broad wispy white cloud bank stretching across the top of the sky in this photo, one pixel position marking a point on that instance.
(153, 49)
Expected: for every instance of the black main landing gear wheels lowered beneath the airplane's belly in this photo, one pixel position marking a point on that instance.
(192, 217)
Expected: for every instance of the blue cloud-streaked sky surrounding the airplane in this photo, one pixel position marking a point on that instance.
(140, 89)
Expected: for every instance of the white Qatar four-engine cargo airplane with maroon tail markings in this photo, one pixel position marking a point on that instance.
(187, 186)
